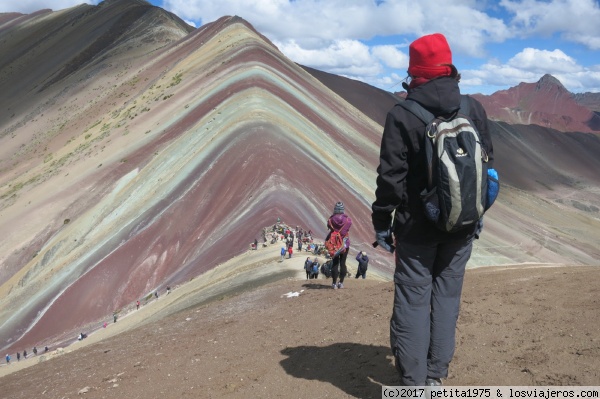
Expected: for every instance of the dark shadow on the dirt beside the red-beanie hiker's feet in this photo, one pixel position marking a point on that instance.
(357, 369)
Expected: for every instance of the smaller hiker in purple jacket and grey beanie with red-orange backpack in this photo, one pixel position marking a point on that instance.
(339, 226)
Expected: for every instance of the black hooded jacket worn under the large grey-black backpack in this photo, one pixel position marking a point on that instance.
(402, 171)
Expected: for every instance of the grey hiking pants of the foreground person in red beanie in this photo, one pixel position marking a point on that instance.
(428, 285)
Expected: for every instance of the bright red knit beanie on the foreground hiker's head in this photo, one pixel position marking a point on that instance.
(427, 54)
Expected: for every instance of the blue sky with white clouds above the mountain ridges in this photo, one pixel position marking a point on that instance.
(495, 44)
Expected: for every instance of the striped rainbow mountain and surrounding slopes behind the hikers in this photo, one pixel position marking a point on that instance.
(137, 152)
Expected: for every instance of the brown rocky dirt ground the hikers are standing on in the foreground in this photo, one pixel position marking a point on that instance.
(263, 330)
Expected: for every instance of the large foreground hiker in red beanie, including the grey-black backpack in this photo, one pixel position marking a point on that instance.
(433, 237)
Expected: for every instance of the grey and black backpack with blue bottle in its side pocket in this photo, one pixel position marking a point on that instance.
(457, 194)
